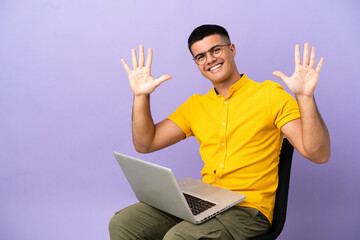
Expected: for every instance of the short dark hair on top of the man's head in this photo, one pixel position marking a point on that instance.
(206, 30)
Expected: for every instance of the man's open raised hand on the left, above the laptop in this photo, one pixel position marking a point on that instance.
(140, 78)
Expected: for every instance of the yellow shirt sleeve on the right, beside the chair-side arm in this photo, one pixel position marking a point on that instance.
(284, 107)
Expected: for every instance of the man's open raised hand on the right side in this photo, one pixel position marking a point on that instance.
(305, 78)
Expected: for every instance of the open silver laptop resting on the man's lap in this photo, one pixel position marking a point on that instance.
(189, 199)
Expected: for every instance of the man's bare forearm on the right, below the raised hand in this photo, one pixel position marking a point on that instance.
(315, 136)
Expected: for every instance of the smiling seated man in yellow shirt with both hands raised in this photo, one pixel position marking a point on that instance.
(239, 124)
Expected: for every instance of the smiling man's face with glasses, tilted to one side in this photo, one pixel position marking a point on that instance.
(216, 69)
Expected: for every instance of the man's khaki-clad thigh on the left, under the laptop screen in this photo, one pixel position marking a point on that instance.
(140, 221)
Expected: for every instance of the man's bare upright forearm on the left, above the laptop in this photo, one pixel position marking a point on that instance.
(142, 124)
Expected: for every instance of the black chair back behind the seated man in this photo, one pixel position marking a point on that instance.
(281, 193)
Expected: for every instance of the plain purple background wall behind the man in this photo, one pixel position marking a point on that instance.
(66, 105)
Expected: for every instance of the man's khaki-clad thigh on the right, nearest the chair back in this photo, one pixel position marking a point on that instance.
(235, 223)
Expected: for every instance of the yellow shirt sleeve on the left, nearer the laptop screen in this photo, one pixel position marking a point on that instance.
(181, 117)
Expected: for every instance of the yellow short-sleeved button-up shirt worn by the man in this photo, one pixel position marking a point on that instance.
(240, 138)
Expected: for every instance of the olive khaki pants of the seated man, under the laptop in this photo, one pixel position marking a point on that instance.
(140, 221)
